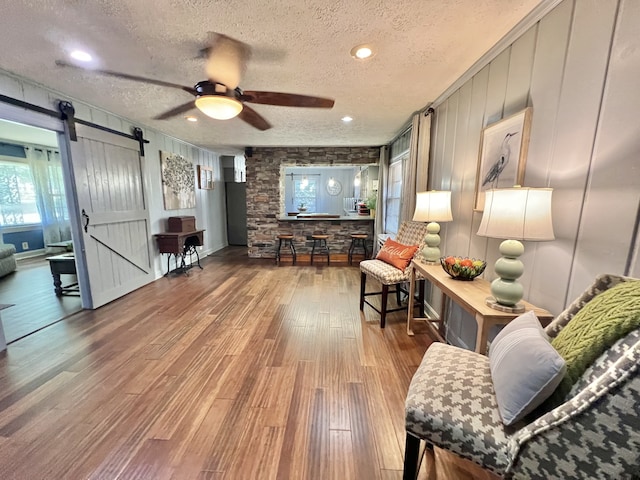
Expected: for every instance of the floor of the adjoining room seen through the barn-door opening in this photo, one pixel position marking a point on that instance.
(30, 289)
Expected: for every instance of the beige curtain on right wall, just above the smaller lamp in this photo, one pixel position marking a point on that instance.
(416, 171)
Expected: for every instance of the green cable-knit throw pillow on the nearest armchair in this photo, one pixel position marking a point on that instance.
(608, 317)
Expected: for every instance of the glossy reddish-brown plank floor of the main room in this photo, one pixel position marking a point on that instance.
(243, 370)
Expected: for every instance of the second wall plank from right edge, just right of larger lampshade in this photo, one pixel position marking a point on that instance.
(567, 166)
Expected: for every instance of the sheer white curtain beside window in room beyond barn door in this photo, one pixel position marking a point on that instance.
(46, 169)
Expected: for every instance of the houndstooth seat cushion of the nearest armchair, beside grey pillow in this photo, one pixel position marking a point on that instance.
(451, 404)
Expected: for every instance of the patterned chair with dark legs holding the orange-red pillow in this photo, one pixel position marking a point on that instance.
(410, 233)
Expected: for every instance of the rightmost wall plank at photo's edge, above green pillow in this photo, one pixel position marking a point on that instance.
(613, 191)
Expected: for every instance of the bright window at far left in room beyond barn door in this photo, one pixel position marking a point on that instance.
(17, 195)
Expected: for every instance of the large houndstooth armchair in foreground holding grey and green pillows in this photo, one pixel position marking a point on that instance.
(595, 434)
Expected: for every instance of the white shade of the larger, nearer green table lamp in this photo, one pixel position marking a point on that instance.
(518, 213)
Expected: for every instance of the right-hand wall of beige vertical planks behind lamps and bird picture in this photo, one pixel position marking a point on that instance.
(577, 69)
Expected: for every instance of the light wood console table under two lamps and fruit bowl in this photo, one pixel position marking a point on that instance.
(471, 296)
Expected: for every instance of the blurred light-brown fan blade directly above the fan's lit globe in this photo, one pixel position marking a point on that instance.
(226, 60)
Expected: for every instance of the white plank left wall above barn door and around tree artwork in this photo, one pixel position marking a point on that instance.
(210, 207)
